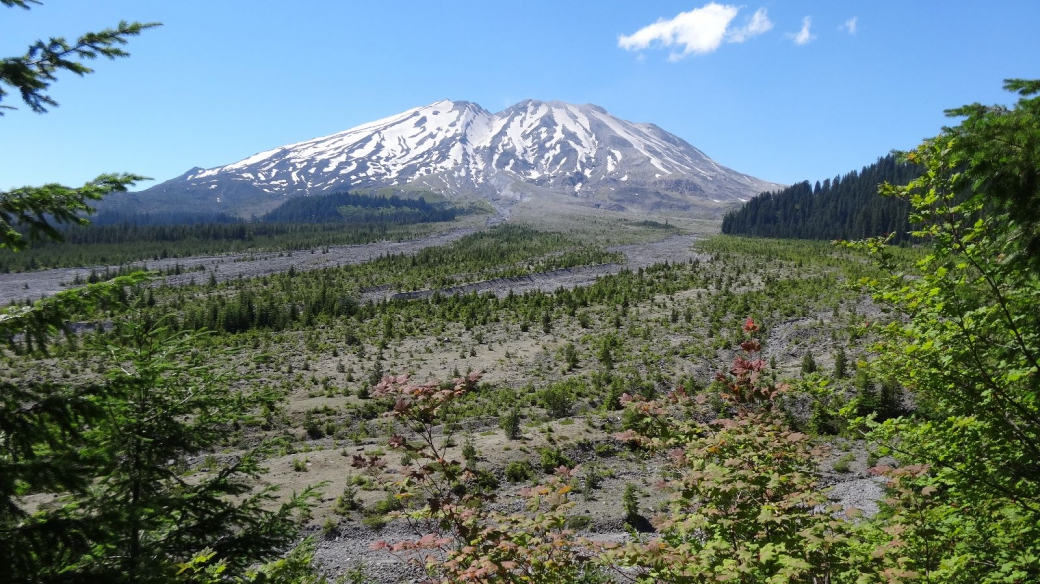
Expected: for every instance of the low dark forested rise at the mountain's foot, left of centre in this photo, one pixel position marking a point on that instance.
(356, 209)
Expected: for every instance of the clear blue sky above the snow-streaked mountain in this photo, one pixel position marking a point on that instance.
(757, 87)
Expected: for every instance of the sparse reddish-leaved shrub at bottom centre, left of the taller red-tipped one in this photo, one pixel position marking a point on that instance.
(467, 543)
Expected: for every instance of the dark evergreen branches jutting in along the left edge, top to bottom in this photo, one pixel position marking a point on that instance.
(42, 421)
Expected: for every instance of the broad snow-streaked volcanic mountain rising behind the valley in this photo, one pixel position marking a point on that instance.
(578, 154)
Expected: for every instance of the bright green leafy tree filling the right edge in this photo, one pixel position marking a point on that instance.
(966, 499)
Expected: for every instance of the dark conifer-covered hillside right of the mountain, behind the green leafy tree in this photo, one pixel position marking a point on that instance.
(847, 207)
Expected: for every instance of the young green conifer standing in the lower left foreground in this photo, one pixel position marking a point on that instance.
(164, 405)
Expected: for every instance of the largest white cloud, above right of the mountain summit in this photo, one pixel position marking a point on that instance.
(699, 32)
